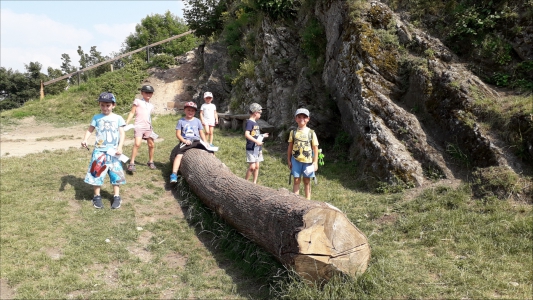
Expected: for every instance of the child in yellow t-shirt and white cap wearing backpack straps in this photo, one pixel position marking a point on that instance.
(302, 153)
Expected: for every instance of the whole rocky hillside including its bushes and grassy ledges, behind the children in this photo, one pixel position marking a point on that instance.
(405, 107)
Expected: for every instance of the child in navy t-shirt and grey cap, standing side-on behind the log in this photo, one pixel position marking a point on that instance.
(254, 141)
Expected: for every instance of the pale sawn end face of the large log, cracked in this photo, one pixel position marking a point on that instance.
(330, 244)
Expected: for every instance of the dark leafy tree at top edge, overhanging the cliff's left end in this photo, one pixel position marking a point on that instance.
(204, 16)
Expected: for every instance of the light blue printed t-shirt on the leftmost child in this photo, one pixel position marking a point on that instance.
(107, 134)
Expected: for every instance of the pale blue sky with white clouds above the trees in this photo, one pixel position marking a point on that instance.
(42, 31)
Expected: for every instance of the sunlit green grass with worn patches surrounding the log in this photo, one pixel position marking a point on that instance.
(164, 243)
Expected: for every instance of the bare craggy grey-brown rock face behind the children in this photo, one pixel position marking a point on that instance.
(405, 100)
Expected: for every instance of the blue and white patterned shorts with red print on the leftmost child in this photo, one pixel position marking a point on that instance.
(102, 164)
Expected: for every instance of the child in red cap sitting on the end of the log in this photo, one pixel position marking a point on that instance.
(189, 131)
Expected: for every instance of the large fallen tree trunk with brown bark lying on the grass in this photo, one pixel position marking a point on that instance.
(314, 238)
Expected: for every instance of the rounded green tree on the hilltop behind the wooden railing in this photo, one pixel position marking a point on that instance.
(155, 28)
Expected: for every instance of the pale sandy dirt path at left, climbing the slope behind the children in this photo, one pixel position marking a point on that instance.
(172, 88)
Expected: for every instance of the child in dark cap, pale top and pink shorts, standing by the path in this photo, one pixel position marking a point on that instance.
(142, 109)
